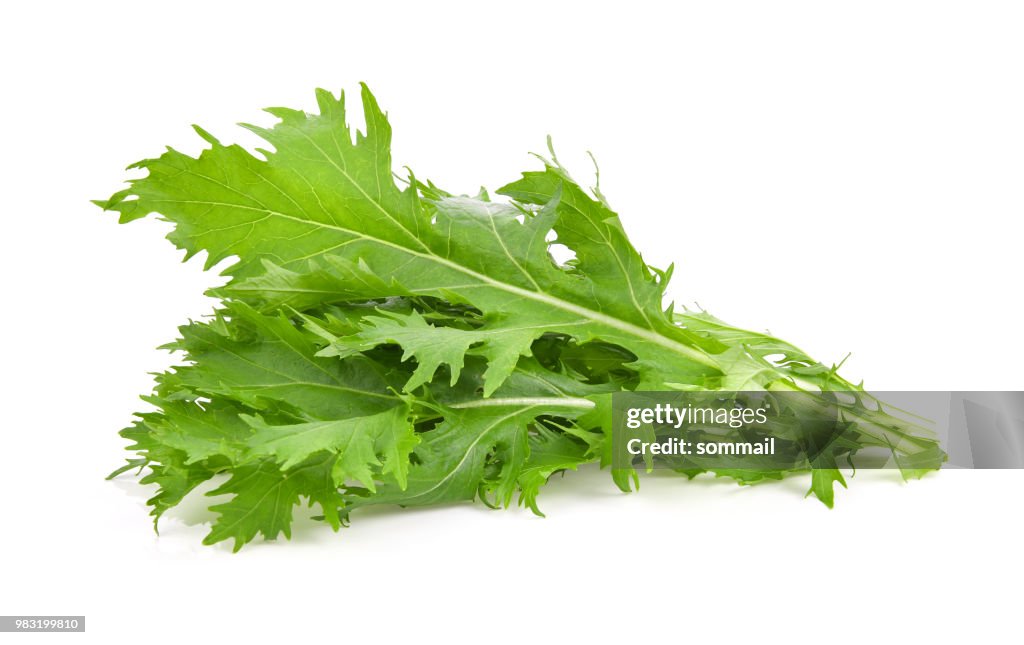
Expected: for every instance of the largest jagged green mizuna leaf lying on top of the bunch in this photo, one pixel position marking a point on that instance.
(325, 204)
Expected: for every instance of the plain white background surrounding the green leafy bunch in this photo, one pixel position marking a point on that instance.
(848, 176)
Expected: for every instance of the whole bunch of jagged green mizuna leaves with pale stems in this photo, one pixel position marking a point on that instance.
(385, 342)
